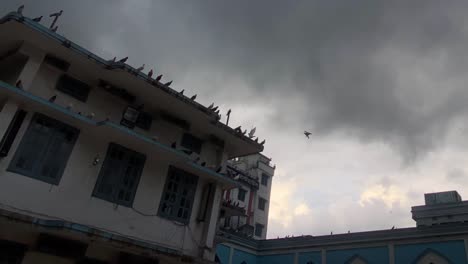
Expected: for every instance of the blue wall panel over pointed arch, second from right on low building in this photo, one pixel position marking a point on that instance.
(375, 255)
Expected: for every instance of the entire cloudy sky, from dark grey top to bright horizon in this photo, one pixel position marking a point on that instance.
(379, 84)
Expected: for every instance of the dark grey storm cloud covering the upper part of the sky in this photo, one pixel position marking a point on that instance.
(390, 71)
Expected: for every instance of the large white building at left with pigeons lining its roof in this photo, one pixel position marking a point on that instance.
(101, 163)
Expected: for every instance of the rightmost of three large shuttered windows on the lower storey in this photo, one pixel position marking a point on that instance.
(177, 198)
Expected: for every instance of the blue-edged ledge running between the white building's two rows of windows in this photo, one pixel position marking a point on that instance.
(111, 131)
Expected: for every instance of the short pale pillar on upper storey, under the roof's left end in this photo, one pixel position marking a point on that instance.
(30, 70)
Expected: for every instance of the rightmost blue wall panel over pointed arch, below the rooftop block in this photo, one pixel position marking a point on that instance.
(452, 250)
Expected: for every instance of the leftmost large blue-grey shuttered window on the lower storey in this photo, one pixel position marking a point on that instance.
(44, 149)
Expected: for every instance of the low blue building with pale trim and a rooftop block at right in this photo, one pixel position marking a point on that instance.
(441, 241)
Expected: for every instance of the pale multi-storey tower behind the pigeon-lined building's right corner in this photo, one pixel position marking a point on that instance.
(245, 209)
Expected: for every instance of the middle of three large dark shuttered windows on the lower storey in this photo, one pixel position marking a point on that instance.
(119, 175)
